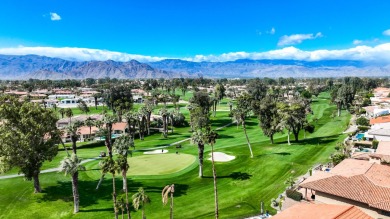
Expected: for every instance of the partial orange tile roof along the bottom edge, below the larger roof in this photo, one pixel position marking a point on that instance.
(322, 211)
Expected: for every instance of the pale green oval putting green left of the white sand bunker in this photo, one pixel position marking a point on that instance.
(159, 164)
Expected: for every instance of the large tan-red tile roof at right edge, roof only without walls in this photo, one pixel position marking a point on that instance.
(356, 180)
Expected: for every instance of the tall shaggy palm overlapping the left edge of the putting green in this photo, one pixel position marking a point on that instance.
(121, 146)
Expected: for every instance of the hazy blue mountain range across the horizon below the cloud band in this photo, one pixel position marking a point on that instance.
(41, 67)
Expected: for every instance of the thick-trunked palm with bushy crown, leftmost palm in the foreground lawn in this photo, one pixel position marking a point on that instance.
(71, 165)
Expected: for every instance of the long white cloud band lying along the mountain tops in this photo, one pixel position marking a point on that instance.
(379, 53)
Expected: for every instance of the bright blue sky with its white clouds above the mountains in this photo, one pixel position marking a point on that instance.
(195, 30)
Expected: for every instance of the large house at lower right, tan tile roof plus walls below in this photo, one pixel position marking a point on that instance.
(361, 183)
